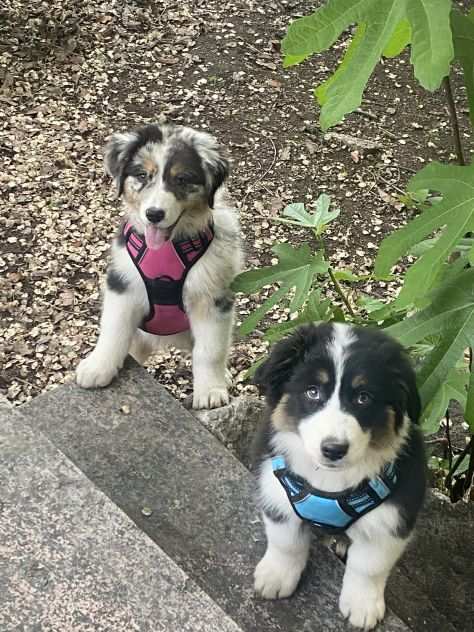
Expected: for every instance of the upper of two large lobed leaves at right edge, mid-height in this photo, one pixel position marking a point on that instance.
(454, 215)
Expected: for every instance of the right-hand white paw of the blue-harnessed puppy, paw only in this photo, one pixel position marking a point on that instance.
(363, 607)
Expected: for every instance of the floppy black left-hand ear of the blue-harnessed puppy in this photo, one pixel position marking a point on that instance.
(272, 375)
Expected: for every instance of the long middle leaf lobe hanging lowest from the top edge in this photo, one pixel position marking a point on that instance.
(345, 94)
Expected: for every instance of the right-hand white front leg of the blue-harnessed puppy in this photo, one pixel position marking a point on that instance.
(369, 563)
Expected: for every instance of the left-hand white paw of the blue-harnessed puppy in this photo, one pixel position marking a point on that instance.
(276, 578)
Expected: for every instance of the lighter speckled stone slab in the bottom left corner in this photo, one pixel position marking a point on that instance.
(71, 560)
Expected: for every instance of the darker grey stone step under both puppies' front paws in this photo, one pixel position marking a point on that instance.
(142, 448)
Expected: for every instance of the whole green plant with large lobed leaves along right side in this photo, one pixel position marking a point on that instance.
(434, 312)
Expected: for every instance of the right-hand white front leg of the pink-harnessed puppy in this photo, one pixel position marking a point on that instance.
(211, 330)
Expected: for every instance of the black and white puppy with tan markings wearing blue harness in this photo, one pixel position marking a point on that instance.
(342, 412)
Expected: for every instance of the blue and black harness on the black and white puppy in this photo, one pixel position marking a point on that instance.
(334, 512)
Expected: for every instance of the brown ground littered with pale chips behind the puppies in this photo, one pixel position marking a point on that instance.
(73, 72)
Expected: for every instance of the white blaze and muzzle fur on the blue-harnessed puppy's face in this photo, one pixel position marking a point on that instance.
(331, 422)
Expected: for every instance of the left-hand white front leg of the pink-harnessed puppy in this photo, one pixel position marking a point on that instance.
(123, 310)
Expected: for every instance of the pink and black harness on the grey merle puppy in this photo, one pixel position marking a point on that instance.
(164, 271)
